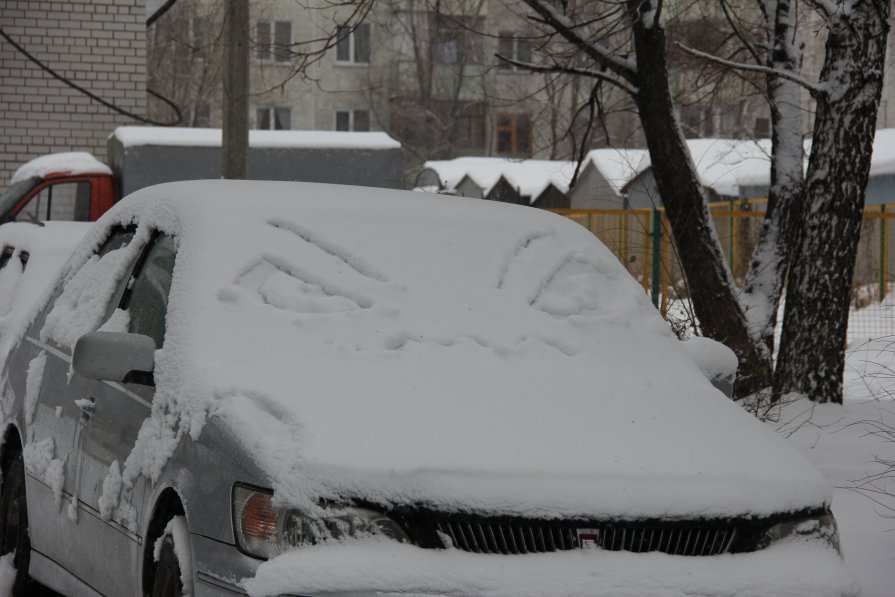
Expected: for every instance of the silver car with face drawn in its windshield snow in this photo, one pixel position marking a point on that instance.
(287, 388)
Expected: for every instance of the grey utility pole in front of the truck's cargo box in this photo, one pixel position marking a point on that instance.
(235, 149)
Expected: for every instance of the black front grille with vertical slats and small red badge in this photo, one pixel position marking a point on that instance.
(684, 539)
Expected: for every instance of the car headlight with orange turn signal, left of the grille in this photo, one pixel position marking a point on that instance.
(263, 530)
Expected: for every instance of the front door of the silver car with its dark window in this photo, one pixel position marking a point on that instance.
(111, 499)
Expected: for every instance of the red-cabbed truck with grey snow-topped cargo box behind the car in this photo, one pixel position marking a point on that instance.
(76, 186)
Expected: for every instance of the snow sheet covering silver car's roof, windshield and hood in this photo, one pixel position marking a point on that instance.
(443, 352)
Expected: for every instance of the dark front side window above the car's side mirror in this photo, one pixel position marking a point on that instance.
(146, 299)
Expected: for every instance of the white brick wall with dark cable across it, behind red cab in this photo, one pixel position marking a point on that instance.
(98, 44)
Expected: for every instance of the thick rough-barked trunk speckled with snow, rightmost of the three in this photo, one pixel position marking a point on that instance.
(812, 348)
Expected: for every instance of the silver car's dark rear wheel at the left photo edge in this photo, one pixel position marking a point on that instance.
(14, 522)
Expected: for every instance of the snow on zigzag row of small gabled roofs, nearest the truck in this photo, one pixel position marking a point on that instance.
(528, 177)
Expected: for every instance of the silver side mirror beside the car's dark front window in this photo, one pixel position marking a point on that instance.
(115, 356)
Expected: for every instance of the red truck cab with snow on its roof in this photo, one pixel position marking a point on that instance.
(71, 186)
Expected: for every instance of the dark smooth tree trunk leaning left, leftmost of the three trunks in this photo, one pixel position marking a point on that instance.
(709, 280)
